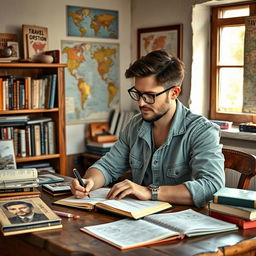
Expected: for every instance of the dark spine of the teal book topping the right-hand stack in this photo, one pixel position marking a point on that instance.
(234, 201)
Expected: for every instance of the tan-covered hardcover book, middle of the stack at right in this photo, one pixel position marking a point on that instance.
(241, 212)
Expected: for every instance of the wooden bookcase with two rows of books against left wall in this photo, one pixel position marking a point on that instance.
(52, 108)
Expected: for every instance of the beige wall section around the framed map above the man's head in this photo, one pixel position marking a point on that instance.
(152, 13)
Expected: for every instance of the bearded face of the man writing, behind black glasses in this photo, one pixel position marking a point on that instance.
(152, 112)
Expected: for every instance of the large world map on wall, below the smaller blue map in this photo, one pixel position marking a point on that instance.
(91, 80)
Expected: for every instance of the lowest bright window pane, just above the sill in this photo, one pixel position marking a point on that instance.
(230, 89)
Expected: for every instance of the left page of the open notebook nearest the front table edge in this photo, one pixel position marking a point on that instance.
(127, 233)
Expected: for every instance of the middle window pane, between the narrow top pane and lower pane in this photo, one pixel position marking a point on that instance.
(232, 45)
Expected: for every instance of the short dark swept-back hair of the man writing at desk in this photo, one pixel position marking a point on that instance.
(168, 70)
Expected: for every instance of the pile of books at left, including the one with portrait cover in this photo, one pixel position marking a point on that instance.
(21, 208)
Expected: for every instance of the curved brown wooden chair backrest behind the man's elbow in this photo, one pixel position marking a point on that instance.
(242, 162)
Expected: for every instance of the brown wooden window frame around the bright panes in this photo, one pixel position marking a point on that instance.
(216, 23)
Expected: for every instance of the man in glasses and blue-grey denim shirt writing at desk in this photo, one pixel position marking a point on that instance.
(174, 155)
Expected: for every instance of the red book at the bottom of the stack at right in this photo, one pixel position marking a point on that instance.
(241, 223)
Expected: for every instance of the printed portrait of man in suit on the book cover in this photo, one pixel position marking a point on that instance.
(23, 211)
